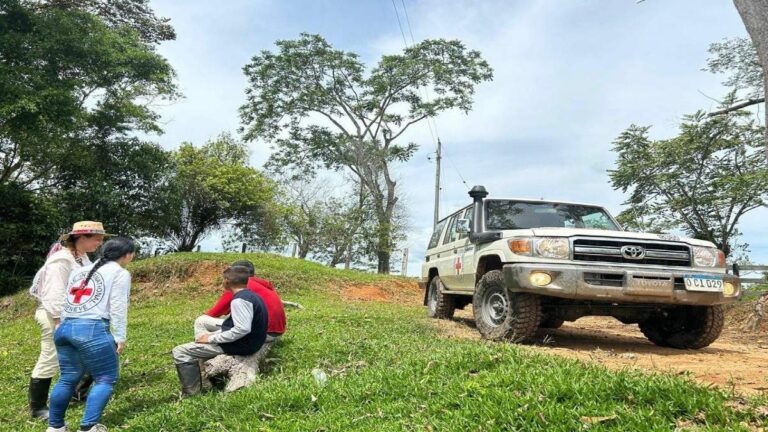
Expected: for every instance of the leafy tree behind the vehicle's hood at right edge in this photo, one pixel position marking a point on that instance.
(702, 181)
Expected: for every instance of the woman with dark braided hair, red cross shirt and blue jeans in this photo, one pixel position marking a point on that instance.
(96, 298)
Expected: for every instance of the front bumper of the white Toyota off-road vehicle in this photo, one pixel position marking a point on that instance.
(616, 284)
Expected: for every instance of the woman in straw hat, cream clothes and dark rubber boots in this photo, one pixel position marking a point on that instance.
(70, 253)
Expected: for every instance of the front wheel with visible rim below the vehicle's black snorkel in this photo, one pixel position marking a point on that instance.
(504, 315)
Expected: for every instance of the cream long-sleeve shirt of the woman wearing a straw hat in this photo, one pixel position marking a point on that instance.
(55, 279)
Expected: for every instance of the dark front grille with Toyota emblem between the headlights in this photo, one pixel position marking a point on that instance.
(600, 250)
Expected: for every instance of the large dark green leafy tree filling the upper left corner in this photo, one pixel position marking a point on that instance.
(67, 80)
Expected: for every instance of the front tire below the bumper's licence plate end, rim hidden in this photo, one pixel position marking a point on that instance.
(685, 327)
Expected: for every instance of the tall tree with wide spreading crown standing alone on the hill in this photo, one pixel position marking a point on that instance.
(321, 108)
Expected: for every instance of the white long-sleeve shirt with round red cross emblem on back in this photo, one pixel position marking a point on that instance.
(105, 297)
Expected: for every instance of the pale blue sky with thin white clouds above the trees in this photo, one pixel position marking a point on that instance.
(569, 76)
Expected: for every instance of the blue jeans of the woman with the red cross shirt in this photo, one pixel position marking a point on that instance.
(83, 344)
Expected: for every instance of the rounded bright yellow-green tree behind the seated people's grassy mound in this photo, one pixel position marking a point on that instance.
(213, 186)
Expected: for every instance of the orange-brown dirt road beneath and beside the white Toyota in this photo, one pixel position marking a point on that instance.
(737, 360)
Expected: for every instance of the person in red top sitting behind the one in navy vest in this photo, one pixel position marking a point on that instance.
(211, 321)
